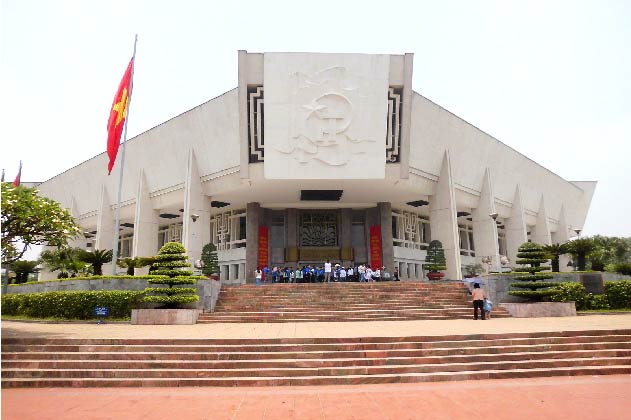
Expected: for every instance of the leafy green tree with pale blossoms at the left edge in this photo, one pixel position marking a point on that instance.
(28, 219)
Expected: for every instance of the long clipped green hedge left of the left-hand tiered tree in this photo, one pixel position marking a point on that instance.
(71, 304)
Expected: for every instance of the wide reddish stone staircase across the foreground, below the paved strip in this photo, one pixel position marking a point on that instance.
(58, 362)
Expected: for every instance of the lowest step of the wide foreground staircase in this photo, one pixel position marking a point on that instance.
(318, 380)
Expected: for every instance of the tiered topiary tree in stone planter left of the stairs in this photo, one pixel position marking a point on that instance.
(171, 261)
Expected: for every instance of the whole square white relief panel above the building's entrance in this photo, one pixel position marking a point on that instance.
(326, 116)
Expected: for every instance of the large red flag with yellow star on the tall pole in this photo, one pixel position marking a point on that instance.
(118, 113)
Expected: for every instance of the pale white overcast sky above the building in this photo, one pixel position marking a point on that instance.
(552, 79)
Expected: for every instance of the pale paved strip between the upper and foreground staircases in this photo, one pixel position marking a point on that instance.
(317, 329)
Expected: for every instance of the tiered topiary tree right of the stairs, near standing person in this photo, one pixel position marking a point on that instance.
(533, 255)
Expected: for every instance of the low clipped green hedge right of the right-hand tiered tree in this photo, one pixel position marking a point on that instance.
(617, 295)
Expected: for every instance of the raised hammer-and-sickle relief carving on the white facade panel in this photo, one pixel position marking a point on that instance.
(324, 127)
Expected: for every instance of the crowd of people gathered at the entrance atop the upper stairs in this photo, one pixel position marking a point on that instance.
(325, 273)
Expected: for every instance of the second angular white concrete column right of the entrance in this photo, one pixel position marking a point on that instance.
(484, 227)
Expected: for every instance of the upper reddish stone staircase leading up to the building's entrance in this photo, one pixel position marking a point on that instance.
(387, 301)
